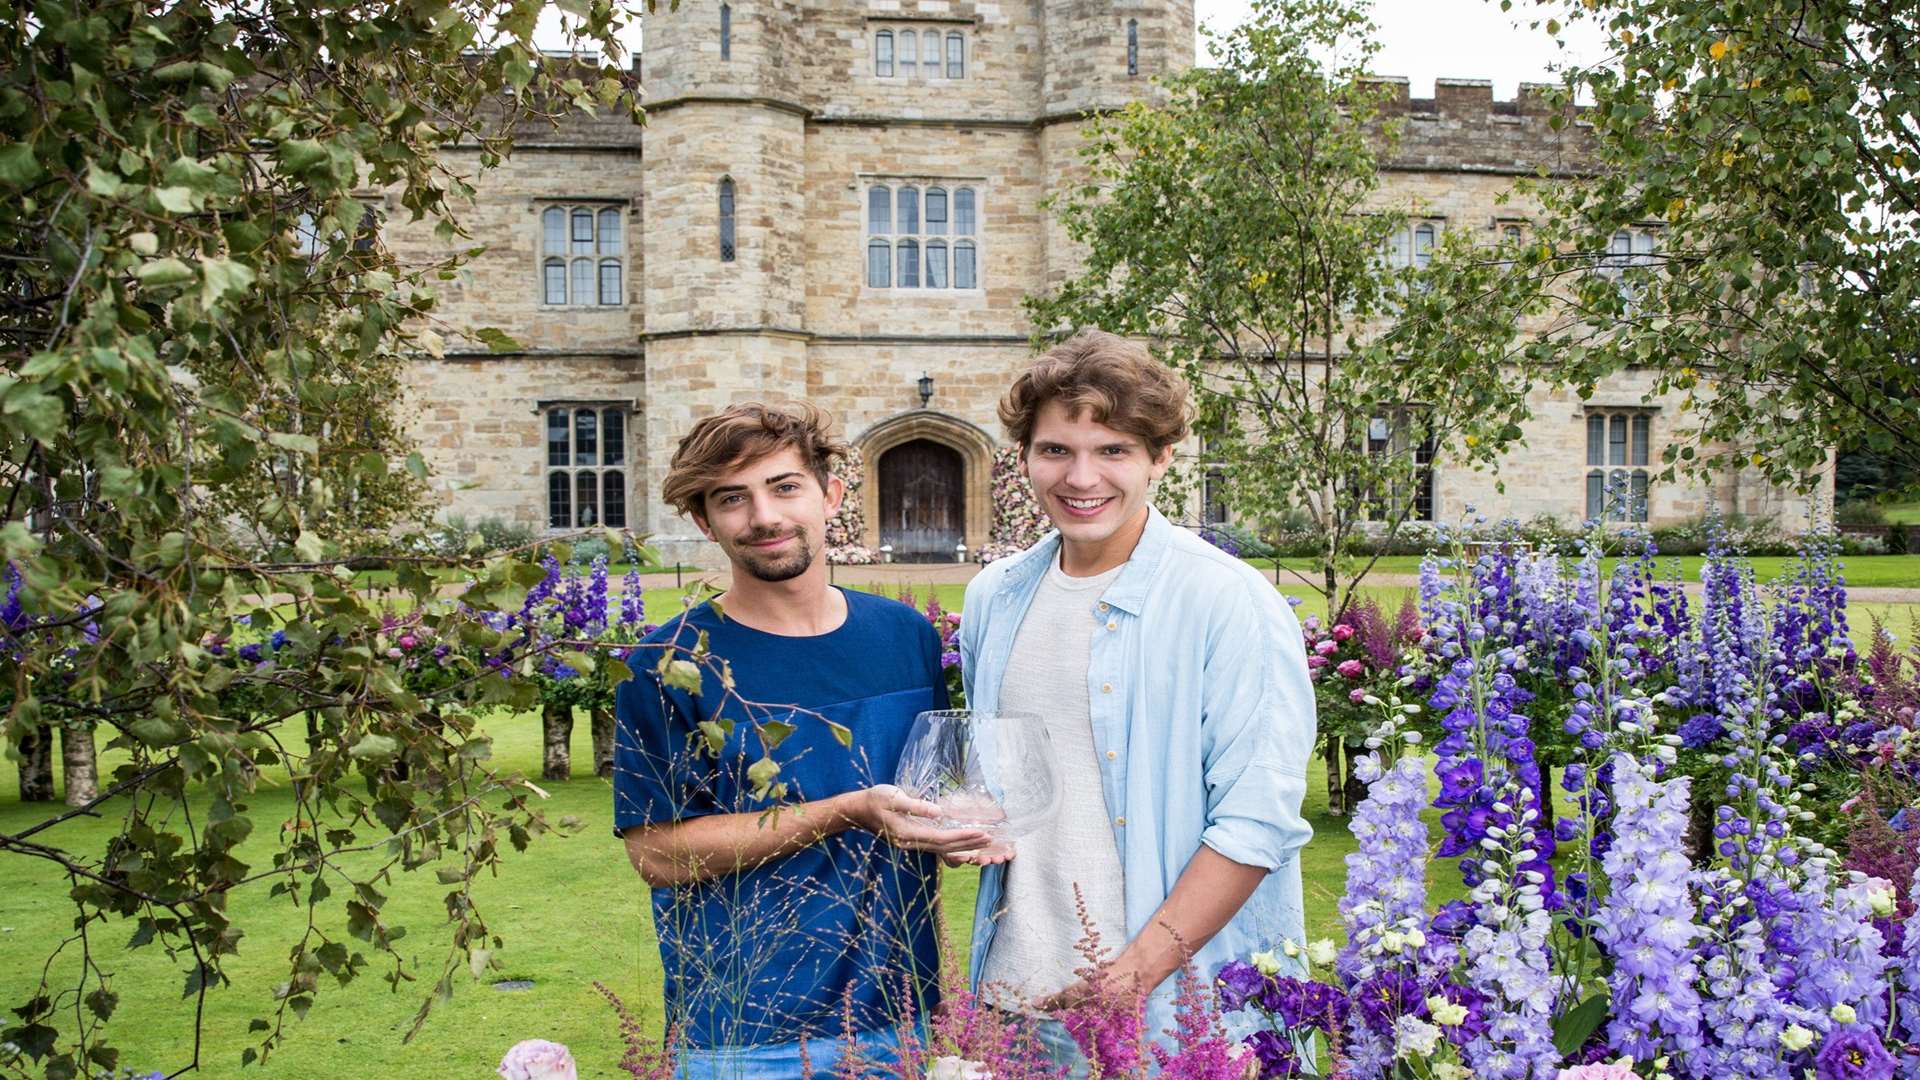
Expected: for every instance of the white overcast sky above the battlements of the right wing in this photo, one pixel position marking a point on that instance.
(1454, 39)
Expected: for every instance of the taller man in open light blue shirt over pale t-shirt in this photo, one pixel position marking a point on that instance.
(1195, 697)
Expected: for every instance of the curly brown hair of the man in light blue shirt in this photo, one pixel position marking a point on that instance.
(1107, 376)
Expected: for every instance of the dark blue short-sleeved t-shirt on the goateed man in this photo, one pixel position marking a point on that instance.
(840, 929)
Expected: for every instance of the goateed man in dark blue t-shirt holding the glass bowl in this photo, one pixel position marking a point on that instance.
(804, 927)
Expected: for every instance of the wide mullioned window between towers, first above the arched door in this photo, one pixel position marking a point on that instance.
(907, 237)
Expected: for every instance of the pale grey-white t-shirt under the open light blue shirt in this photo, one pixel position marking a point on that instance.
(1036, 945)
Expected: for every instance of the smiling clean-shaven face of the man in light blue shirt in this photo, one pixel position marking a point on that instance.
(1093, 483)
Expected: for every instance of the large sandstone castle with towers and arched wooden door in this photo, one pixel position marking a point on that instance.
(842, 203)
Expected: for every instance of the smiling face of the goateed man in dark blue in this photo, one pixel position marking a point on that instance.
(771, 516)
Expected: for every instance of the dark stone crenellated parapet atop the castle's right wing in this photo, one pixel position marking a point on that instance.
(1464, 130)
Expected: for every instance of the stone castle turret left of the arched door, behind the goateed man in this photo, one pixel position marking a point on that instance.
(723, 322)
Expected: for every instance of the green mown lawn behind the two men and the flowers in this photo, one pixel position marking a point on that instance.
(571, 912)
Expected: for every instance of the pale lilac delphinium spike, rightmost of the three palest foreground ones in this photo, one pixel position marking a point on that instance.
(1648, 923)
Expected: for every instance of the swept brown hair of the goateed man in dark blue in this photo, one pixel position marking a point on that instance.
(746, 433)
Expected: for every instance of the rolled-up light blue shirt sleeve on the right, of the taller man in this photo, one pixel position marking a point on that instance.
(1259, 731)
